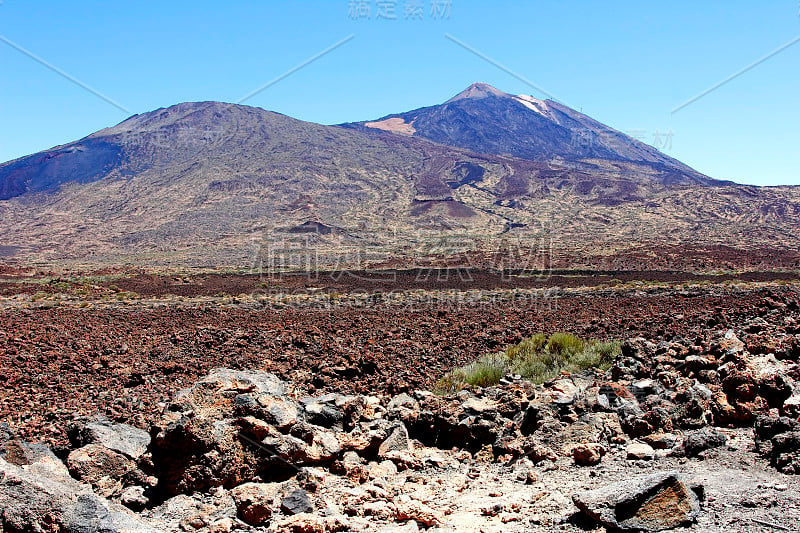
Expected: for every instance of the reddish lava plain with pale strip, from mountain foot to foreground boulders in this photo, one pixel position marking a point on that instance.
(134, 349)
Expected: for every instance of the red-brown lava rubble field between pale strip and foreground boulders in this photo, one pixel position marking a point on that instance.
(122, 362)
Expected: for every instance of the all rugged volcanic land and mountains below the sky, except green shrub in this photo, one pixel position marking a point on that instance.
(216, 318)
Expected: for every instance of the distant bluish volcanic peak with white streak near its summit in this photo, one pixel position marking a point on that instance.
(486, 120)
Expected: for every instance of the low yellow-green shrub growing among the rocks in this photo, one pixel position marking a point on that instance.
(538, 359)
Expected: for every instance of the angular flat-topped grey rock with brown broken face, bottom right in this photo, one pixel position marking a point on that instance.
(647, 503)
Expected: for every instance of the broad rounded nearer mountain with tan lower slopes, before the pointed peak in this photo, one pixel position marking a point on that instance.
(213, 184)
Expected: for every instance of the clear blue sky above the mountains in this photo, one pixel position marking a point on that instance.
(628, 64)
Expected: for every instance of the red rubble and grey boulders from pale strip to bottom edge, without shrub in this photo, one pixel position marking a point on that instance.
(695, 426)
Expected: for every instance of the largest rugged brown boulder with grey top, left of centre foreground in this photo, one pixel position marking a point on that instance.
(202, 441)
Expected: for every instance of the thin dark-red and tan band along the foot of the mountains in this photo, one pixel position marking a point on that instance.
(153, 285)
